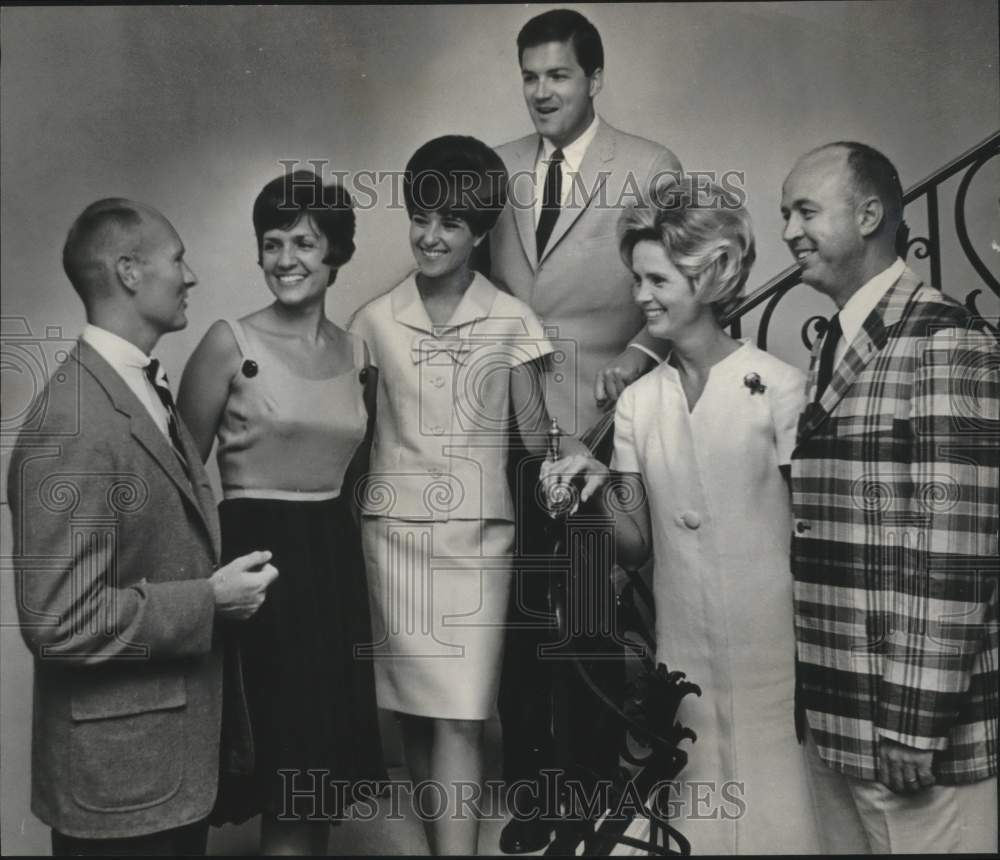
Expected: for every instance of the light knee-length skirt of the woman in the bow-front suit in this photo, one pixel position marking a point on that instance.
(439, 602)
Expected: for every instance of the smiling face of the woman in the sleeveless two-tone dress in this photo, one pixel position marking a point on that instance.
(293, 265)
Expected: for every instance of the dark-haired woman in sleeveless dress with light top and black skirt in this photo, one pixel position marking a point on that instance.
(283, 391)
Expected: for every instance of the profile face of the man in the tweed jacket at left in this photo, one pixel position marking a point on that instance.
(163, 276)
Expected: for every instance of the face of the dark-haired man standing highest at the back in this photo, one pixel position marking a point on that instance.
(559, 94)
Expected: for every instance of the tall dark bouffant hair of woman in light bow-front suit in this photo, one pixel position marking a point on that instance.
(457, 175)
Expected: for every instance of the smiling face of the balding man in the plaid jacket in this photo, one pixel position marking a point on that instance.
(822, 226)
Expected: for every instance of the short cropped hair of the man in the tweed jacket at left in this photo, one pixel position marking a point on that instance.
(83, 261)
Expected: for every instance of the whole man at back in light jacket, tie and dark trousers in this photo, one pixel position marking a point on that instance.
(555, 247)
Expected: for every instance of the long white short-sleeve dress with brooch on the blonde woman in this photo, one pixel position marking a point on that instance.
(722, 585)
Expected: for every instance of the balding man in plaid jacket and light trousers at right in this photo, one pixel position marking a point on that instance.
(894, 553)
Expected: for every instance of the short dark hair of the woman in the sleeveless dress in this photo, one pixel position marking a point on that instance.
(300, 194)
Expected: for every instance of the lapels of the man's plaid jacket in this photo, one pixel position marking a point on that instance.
(871, 338)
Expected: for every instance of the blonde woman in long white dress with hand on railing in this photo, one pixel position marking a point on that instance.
(708, 435)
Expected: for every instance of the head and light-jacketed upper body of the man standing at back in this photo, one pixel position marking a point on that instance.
(577, 282)
